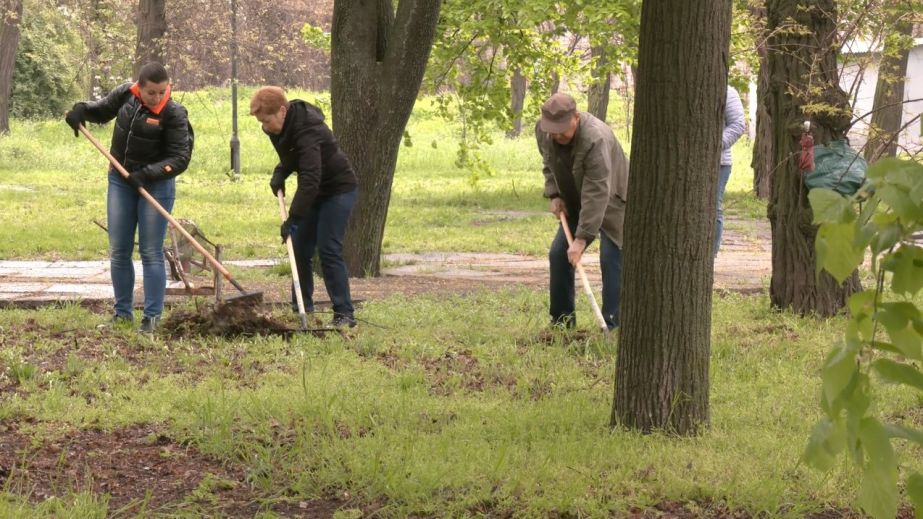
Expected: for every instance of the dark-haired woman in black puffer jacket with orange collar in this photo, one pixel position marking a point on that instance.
(152, 138)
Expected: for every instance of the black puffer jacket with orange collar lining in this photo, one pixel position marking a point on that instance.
(158, 140)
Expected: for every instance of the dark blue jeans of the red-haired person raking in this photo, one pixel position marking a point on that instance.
(323, 230)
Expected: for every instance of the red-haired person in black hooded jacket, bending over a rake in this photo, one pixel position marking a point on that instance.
(324, 199)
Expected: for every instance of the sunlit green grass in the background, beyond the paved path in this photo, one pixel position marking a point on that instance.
(52, 186)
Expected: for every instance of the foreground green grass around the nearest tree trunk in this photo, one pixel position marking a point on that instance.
(433, 416)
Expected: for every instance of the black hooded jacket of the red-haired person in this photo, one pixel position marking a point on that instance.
(307, 146)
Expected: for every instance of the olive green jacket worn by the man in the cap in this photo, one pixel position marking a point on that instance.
(599, 170)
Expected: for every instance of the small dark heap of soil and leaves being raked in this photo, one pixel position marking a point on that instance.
(227, 320)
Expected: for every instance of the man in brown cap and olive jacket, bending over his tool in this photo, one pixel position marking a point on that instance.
(586, 178)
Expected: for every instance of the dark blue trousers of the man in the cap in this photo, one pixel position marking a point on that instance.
(562, 279)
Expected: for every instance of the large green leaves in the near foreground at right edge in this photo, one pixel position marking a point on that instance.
(883, 342)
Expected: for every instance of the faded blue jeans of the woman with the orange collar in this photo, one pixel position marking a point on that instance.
(126, 211)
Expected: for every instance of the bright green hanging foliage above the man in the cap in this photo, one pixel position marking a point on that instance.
(483, 44)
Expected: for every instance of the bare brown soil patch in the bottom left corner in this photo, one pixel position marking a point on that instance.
(141, 469)
